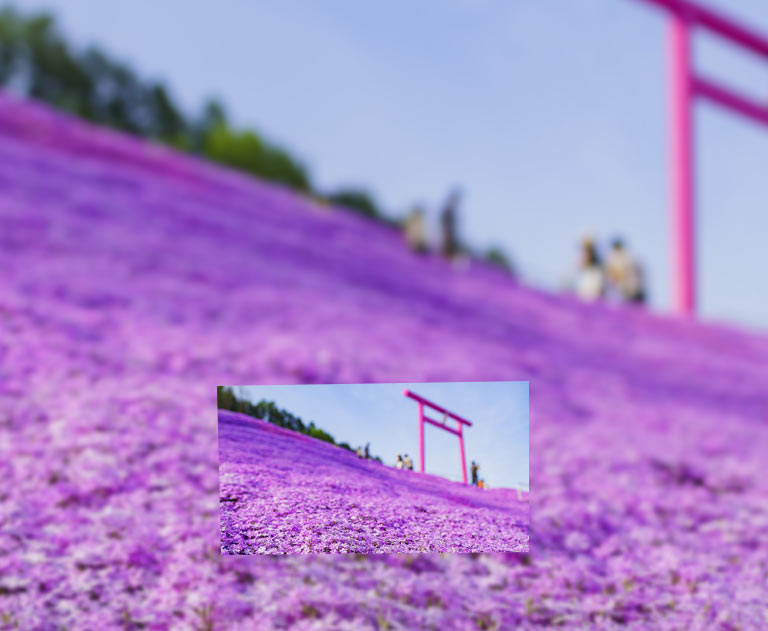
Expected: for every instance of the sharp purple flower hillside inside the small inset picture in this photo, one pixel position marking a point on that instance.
(283, 492)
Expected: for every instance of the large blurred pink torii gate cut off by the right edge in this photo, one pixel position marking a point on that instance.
(685, 86)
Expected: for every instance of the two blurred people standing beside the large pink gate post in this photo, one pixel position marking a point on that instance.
(619, 276)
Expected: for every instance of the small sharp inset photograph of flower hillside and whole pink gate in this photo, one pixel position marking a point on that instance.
(374, 468)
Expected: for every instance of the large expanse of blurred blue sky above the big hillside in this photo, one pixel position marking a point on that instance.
(551, 115)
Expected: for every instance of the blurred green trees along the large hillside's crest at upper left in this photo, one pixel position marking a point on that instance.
(37, 61)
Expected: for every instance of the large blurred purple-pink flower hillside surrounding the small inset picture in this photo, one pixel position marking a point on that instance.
(134, 280)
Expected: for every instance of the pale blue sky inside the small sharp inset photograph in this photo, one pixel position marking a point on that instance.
(382, 415)
